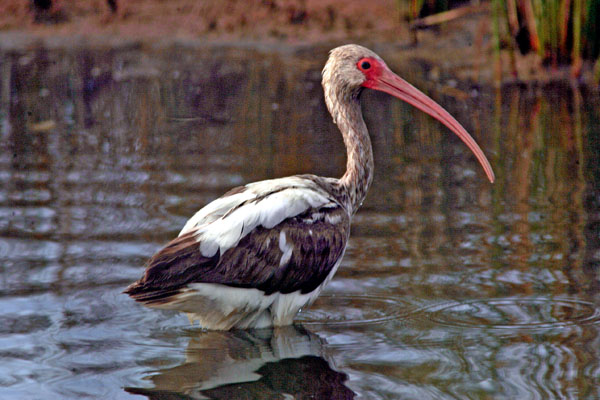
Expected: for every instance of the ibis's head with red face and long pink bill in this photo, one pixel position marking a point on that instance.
(350, 68)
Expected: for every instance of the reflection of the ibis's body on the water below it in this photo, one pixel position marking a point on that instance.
(285, 362)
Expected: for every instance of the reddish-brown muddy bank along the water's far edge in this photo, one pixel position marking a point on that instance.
(460, 50)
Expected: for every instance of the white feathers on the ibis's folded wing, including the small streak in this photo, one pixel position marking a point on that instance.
(223, 223)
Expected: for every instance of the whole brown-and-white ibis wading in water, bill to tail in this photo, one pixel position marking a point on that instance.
(257, 255)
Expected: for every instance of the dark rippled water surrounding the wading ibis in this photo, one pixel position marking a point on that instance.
(451, 287)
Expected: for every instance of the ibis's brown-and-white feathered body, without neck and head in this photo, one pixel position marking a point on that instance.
(253, 257)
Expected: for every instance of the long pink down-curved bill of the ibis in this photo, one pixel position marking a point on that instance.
(391, 83)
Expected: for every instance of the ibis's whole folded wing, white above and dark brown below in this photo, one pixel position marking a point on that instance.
(284, 240)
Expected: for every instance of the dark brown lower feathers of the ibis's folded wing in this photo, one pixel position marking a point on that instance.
(311, 245)
